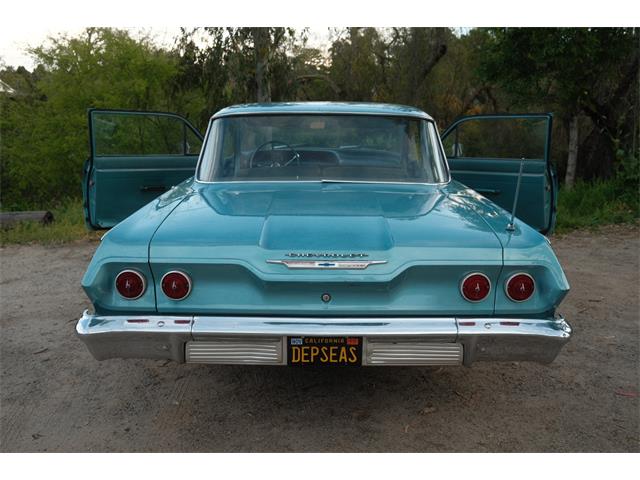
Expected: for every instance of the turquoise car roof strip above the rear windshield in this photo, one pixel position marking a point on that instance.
(358, 108)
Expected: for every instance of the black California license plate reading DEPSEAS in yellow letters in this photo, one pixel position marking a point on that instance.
(326, 351)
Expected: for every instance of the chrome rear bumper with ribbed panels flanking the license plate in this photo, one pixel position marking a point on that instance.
(262, 340)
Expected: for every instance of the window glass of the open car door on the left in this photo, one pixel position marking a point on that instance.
(130, 134)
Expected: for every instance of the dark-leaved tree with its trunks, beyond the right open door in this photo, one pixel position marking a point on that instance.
(572, 70)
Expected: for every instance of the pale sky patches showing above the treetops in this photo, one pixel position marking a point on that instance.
(14, 40)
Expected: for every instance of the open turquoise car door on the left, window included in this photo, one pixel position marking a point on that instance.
(135, 156)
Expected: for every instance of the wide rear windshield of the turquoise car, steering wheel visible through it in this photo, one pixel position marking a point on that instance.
(322, 147)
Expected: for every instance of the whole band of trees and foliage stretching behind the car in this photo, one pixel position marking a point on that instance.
(589, 72)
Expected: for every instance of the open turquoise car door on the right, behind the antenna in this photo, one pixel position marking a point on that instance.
(485, 151)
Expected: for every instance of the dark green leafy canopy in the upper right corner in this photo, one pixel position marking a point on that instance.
(575, 72)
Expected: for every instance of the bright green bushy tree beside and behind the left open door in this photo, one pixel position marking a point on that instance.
(44, 129)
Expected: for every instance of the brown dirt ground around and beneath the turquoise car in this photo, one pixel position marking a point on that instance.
(55, 397)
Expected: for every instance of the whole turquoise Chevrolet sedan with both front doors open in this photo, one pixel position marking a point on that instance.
(322, 234)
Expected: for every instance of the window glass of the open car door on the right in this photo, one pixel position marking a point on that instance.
(510, 138)
